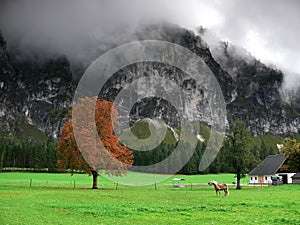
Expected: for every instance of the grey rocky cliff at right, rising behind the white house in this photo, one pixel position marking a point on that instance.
(259, 100)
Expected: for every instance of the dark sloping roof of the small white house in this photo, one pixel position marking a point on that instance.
(269, 166)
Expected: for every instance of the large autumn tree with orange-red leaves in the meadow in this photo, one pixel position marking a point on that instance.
(90, 153)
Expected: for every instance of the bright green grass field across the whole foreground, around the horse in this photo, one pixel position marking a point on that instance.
(52, 199)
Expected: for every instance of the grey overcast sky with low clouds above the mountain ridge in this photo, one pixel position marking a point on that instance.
(269, 29)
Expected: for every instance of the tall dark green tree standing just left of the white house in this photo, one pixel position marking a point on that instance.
(237, 150)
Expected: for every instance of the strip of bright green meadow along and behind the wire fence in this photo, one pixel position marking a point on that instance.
(83, 181)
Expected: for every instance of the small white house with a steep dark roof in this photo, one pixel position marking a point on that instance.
(265, 172)
